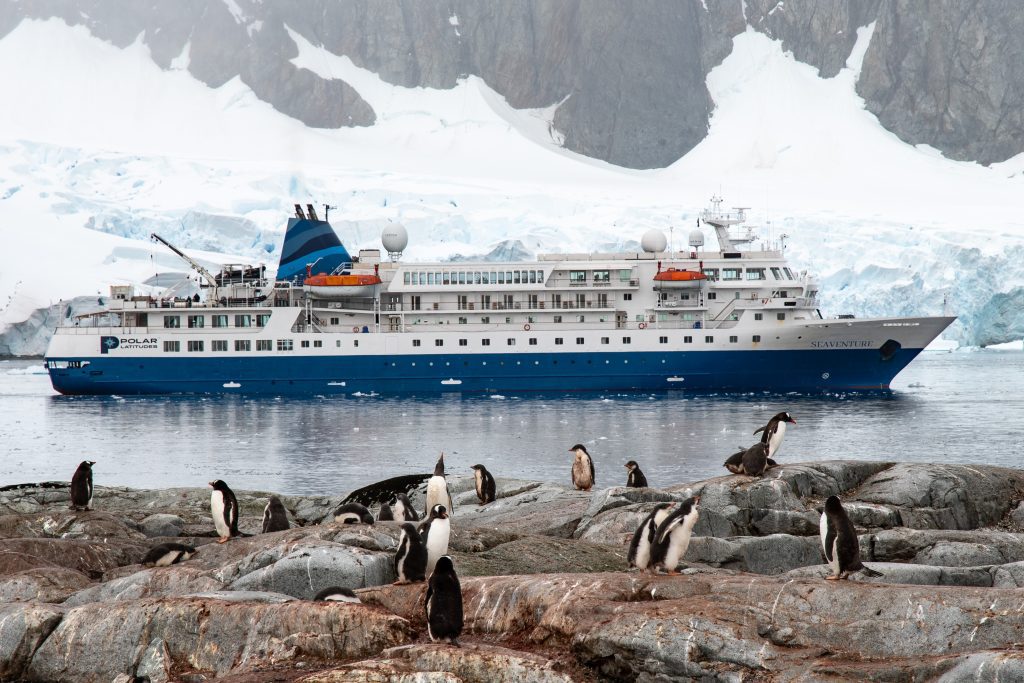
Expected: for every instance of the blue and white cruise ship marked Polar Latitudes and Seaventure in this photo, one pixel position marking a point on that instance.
(734, 318)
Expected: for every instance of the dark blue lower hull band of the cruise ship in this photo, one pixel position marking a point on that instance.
(804, 371)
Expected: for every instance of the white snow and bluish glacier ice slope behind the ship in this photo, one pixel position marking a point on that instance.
(101, 148)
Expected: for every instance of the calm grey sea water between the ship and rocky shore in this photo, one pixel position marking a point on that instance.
(961, 408)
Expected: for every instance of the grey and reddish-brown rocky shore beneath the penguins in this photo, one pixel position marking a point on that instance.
(546, 593)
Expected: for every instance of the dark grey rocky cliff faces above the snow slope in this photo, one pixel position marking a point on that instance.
(628, 78)
